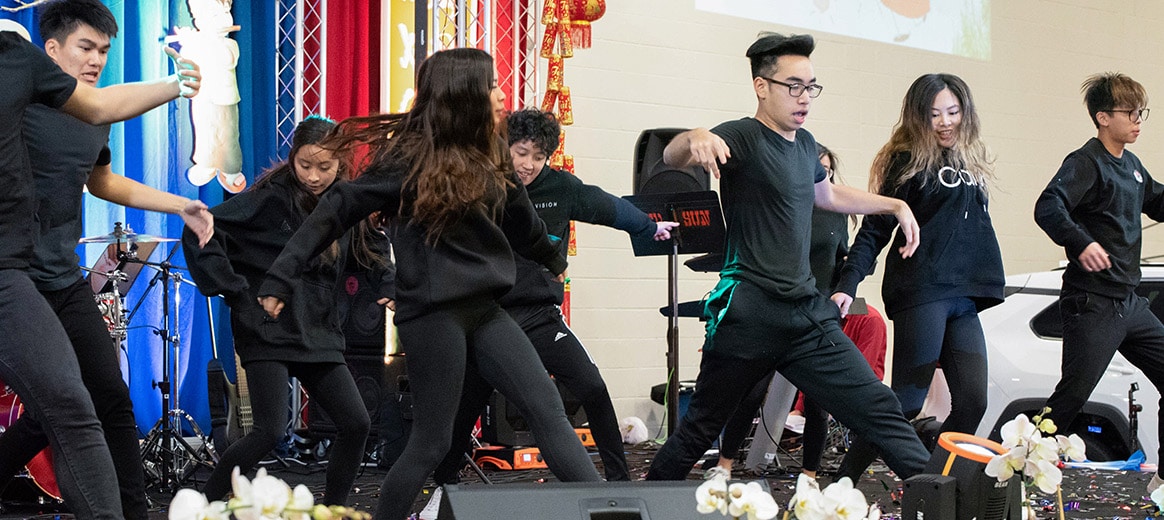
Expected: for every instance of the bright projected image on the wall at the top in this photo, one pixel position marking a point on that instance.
(956, 27)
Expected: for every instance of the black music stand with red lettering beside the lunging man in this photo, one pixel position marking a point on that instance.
(701, 231)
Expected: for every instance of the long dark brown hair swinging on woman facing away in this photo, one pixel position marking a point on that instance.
(456, 163)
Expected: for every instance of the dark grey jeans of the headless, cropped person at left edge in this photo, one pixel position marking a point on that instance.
(39, 362)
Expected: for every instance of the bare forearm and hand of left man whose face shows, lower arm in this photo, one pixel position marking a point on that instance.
(108, 186)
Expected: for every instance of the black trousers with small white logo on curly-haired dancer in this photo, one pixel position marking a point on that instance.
(567, 360)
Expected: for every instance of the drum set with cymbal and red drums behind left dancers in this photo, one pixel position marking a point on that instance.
(168, 458)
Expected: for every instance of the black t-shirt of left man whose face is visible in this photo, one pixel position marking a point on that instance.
(63, 152)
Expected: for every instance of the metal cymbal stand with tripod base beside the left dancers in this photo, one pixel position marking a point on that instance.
(168, 459)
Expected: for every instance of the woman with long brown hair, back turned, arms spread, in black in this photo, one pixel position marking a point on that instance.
(443, 179)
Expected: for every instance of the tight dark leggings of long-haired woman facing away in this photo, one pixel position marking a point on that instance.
(438, 347)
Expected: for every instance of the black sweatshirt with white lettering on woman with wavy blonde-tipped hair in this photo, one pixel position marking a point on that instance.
(959, 257)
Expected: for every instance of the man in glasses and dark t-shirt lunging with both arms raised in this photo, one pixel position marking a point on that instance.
(766, 314)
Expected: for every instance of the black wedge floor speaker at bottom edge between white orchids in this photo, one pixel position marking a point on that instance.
(601, 501)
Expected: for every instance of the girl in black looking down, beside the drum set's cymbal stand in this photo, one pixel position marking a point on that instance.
(307, 343)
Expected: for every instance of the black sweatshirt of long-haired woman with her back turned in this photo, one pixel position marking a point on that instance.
(473, 258)
